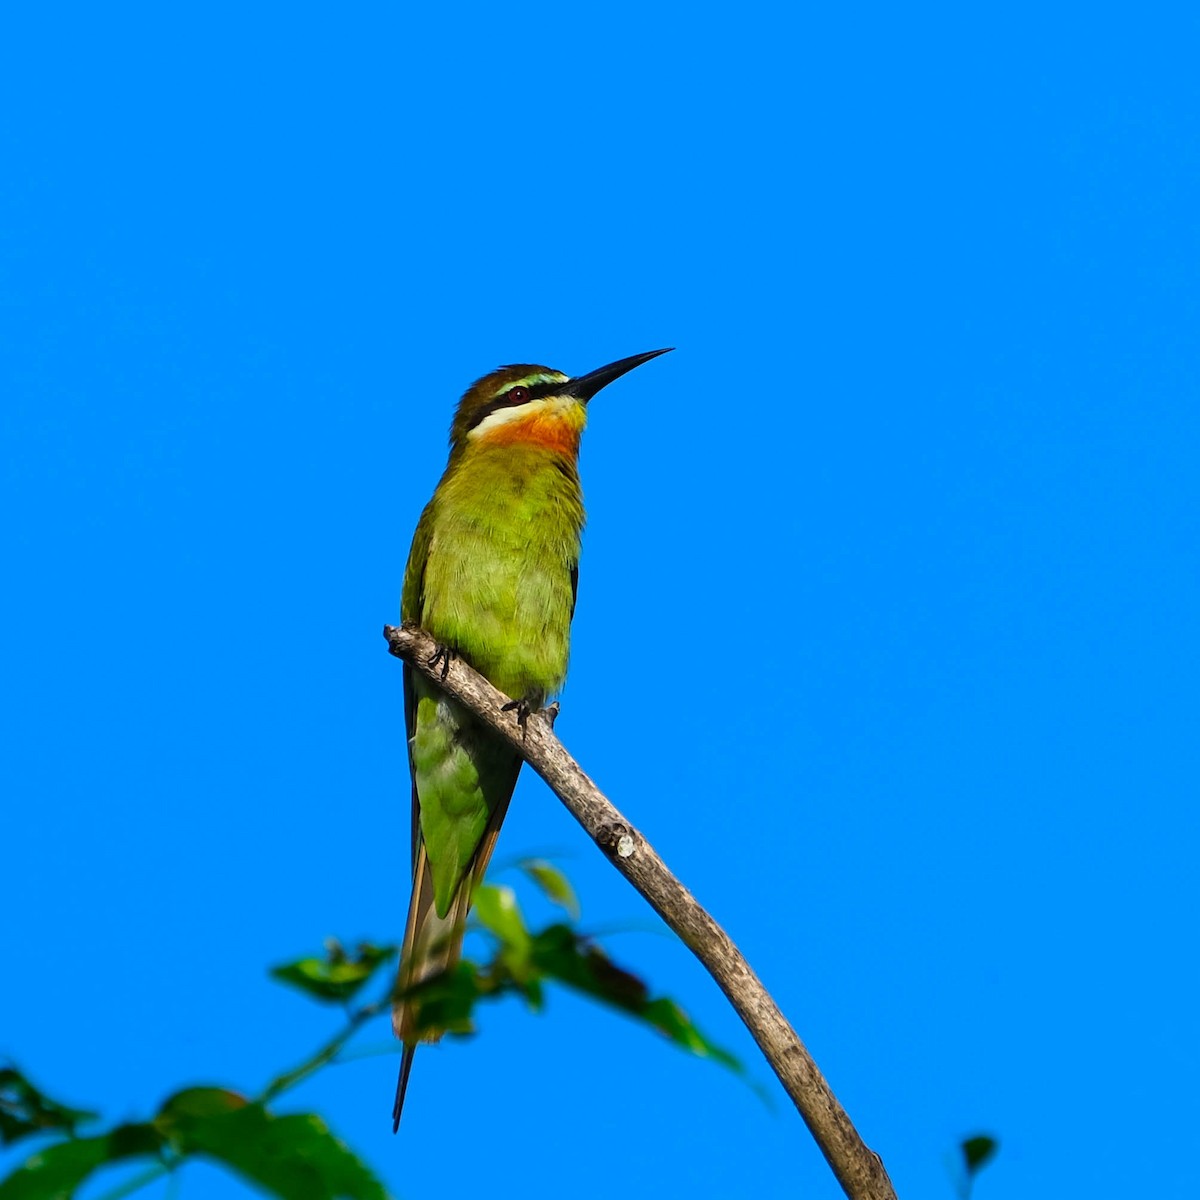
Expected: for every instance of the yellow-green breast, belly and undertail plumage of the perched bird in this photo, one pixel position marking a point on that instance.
(502, 548)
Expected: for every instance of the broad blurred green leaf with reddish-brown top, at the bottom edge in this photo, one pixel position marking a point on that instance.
(293, 1157)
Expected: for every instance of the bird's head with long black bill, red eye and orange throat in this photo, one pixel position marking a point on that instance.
(527, 405)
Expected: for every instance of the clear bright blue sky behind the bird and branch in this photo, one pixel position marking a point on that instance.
(907, 530)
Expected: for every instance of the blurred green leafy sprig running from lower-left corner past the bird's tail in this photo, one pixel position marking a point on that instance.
(296, 1156)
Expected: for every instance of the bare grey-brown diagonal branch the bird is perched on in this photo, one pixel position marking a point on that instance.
(859, 1169)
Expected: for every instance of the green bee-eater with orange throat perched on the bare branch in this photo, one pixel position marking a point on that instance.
(493, 577)
